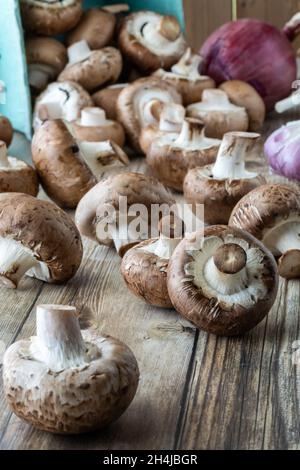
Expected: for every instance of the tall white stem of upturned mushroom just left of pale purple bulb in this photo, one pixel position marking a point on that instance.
(230, 162)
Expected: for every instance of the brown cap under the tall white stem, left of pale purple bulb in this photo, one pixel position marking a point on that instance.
(218, 196)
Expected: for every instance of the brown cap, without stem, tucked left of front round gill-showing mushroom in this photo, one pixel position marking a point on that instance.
(146, 275)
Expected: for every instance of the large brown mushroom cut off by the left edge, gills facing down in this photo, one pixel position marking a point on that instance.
(38, 239)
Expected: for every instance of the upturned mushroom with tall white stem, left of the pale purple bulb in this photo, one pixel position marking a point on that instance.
(221, 185)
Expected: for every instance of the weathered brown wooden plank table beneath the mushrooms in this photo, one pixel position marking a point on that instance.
(196, 391)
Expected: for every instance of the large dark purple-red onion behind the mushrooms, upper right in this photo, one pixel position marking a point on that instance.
(255, 52)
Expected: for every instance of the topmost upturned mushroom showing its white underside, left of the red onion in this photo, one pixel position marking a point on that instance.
(150, 41)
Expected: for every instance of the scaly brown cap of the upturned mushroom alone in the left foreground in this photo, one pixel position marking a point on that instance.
(75, 400)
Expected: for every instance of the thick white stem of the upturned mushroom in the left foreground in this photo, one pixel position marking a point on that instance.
(59, 343)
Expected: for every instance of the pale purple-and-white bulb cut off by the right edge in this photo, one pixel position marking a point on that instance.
(283, 150)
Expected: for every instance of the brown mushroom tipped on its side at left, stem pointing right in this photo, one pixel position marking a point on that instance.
(68, 168)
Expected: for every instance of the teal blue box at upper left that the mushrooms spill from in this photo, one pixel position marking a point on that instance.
(14, 88)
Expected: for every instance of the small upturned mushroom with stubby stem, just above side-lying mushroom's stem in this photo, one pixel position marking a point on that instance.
(93, 126)
